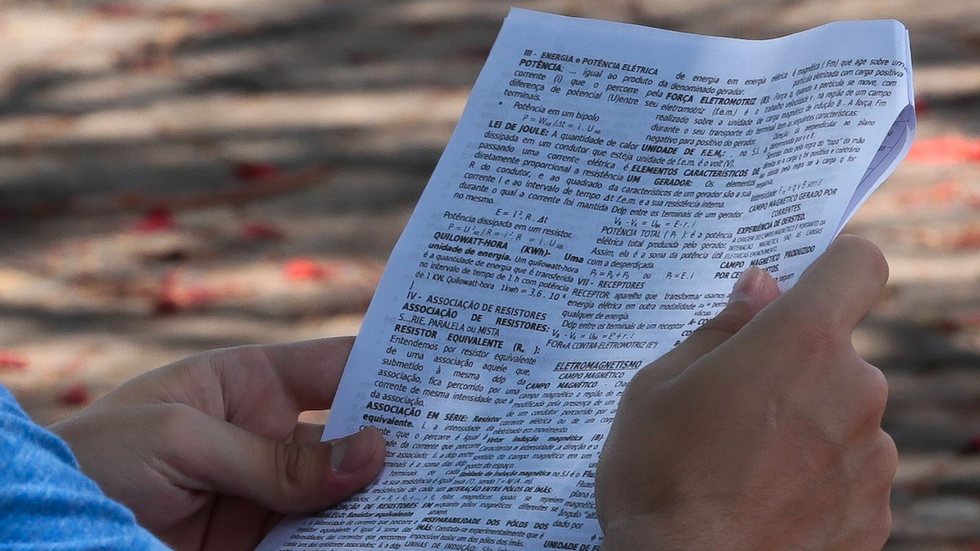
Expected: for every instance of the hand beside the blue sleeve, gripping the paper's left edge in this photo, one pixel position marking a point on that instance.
(208, 451)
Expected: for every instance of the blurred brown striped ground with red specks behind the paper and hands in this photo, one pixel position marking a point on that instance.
(183, 175)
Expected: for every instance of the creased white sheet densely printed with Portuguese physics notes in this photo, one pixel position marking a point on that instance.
(604, 188)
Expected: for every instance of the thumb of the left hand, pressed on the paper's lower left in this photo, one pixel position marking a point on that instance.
(287, 477)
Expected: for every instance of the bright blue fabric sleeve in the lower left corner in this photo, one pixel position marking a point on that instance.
(46, 503)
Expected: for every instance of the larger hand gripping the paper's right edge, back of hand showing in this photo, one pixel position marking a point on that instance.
(762, 431)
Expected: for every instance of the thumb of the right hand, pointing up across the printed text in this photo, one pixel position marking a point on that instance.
(752, 292)
